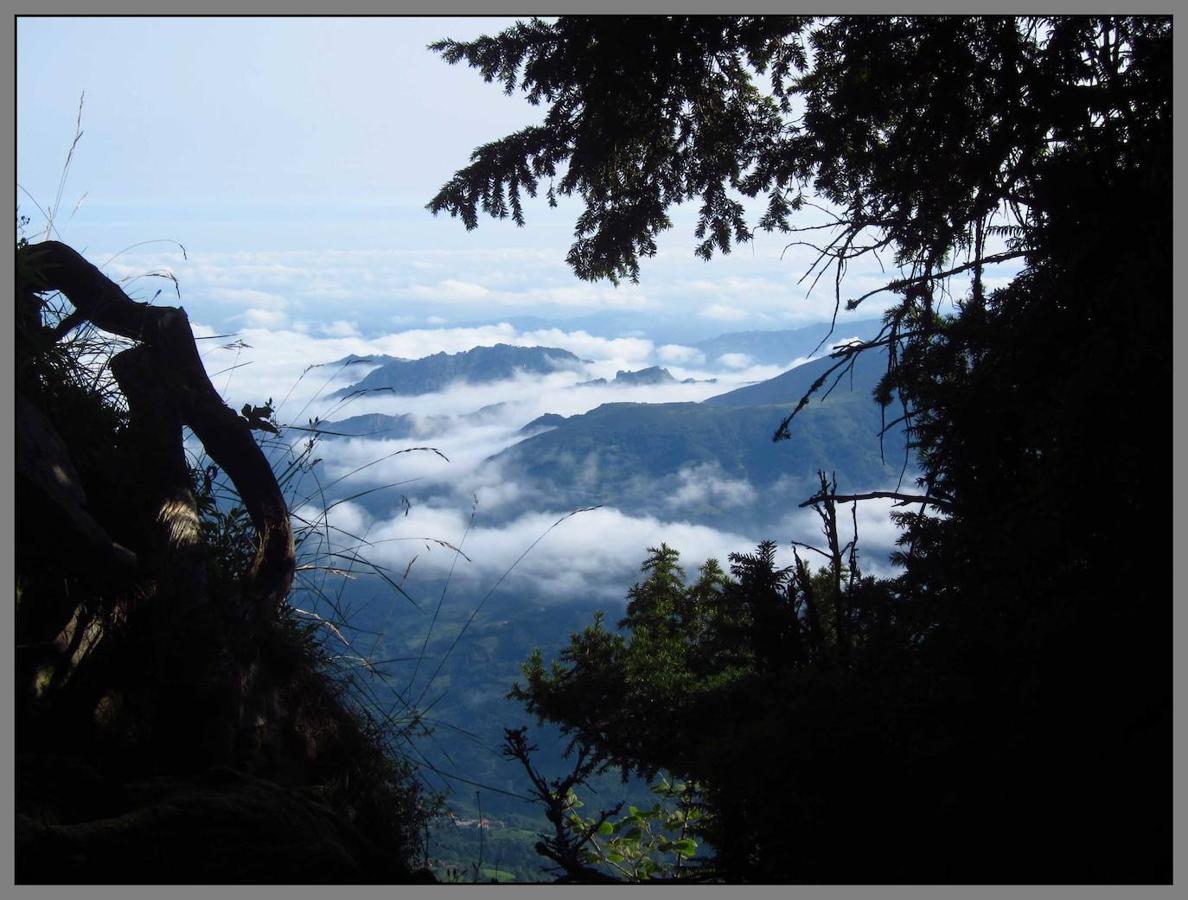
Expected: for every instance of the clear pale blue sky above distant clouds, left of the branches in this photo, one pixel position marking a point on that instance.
(320, 129)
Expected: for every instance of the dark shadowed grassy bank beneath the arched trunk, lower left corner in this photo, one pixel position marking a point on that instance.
(160, 737)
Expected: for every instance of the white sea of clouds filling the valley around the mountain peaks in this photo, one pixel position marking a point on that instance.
(462, 499)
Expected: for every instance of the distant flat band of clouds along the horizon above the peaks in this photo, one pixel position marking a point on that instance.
(374, 288)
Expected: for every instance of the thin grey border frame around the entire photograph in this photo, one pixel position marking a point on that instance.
(527, 8)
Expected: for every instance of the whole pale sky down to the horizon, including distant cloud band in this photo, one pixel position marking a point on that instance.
(294, 159)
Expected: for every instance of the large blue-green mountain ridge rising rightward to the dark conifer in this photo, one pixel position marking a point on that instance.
(713, 462)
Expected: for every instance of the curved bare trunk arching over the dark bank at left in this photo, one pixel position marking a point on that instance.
(168, 359)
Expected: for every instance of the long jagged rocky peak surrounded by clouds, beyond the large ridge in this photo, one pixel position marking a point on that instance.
(479, 365)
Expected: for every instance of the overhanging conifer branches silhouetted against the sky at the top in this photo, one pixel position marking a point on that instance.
(920, 131)
